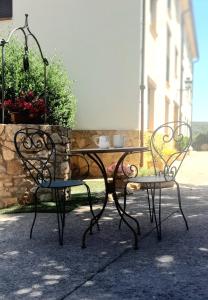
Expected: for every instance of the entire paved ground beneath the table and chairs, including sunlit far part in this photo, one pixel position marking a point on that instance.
(109, 268)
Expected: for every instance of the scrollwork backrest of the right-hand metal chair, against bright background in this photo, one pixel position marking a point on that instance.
(169, 145)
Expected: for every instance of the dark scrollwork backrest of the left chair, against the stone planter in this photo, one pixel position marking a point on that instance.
(37, 152)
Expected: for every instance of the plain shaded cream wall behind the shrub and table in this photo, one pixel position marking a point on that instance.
(99, 42)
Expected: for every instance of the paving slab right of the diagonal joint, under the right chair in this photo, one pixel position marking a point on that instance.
(175, 268)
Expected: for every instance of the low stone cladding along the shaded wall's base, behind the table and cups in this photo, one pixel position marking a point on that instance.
(84, 139)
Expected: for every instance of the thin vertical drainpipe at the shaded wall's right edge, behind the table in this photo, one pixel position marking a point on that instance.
(142, 86)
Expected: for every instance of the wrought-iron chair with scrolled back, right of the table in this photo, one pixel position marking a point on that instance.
(173, 135)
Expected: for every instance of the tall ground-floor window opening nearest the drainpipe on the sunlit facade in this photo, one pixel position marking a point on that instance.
(151, 104)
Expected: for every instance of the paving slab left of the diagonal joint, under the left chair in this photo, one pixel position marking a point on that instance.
(40, 268)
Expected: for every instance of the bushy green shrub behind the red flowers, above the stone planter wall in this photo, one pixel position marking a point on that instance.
(61, 101)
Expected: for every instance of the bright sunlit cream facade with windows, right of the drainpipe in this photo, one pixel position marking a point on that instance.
(155, 61)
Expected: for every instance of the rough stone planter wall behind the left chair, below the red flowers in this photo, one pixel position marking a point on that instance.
(15, 184)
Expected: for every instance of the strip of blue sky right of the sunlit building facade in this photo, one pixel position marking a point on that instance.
(200, 83)
